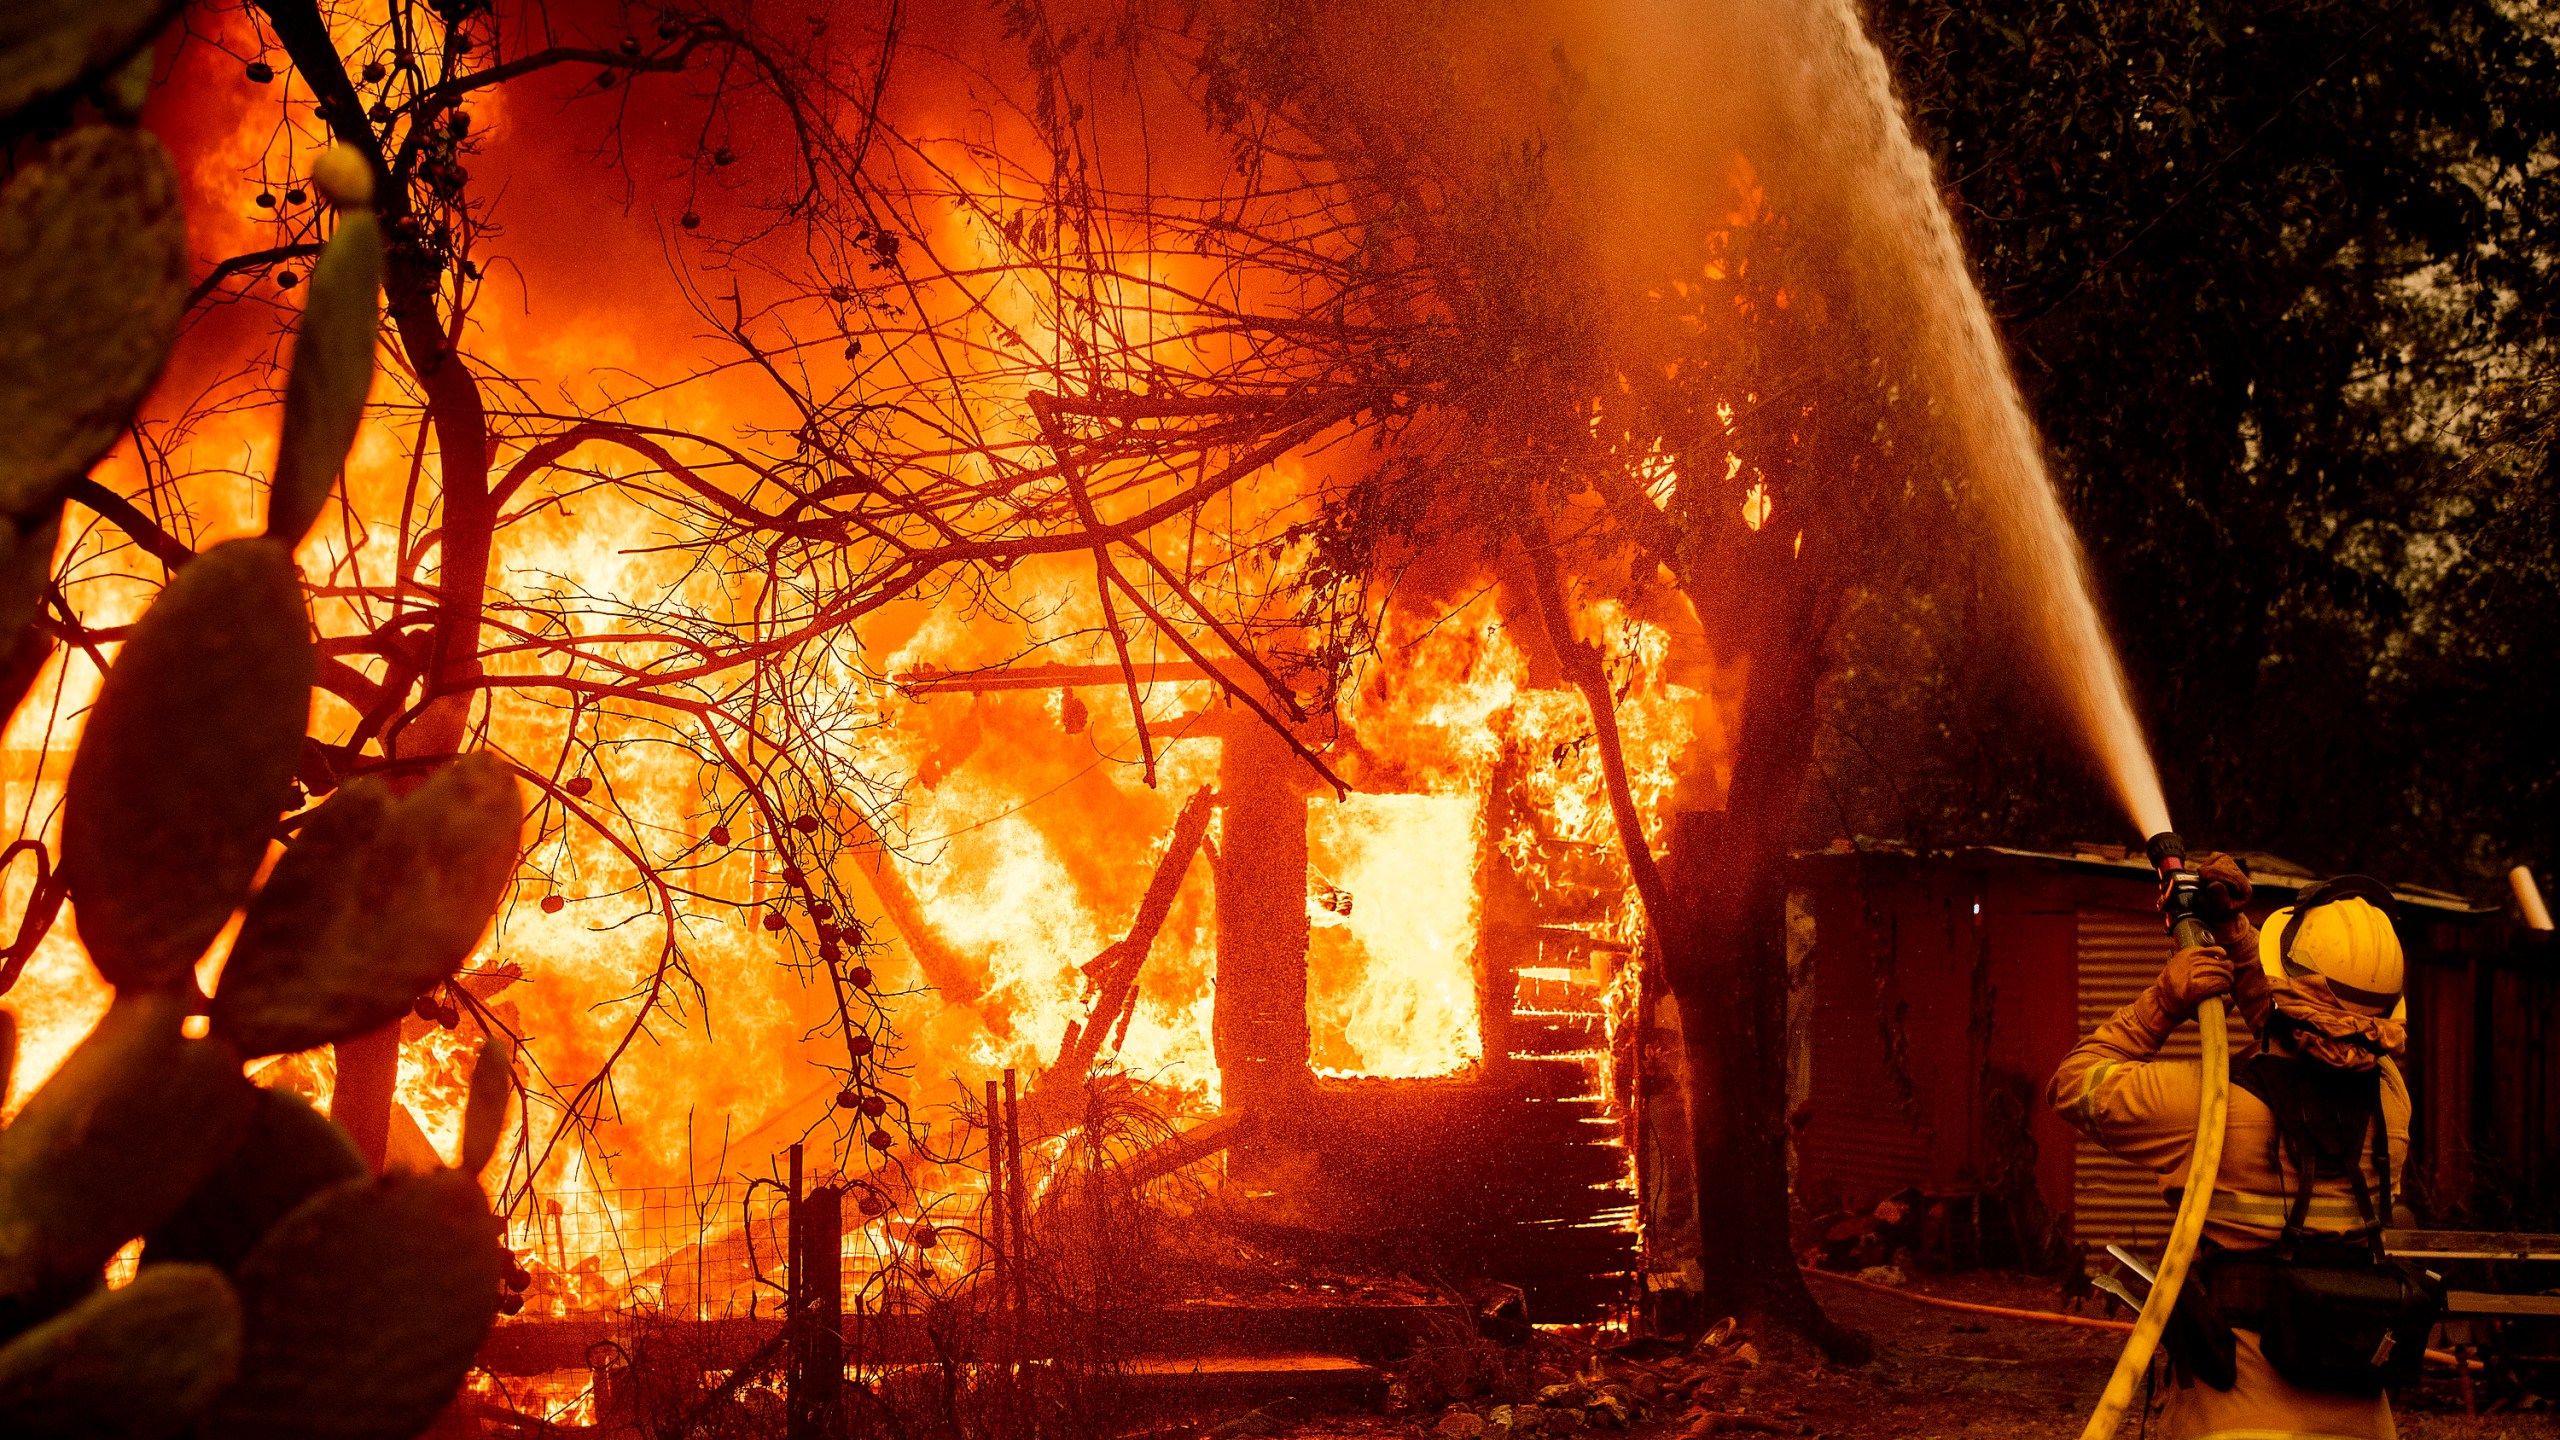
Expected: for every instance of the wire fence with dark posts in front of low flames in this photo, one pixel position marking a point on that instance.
(675, 1298)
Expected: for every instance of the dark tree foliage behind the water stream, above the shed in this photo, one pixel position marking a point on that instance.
(2280, 283)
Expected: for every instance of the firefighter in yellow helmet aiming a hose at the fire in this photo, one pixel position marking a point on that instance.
(2280, 1331)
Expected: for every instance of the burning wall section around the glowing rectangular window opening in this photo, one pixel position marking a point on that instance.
(1407, 990)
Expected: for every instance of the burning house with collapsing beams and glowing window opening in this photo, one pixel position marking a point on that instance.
(1386, 1016)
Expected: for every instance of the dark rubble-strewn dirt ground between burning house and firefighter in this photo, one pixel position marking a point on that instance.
(1937, 1377)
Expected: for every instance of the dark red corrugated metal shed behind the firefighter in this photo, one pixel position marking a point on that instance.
(1949, 985)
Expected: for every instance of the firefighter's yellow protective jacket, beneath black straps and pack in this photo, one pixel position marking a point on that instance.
(2144, 1111)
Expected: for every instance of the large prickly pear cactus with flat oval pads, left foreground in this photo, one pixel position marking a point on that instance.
(283, 1290)
